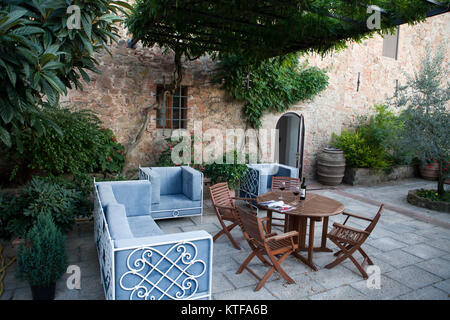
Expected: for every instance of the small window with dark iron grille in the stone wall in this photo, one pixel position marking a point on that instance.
(172, 113)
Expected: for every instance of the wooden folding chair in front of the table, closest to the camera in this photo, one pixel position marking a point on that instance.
(263, 243)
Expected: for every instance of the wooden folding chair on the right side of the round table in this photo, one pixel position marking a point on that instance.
(349, 240)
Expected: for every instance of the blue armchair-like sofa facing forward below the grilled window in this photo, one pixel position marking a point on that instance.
(176, 191)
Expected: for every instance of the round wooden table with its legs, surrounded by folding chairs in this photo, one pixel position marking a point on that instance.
(315, 208)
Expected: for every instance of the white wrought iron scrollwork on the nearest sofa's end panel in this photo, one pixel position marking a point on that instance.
(155, 275)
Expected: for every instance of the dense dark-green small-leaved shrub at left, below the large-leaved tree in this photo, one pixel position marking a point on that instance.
(83, 147)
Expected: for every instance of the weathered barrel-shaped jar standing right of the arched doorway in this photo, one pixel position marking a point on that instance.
(330, 166)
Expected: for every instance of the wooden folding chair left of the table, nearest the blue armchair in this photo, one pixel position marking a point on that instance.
(225, 208)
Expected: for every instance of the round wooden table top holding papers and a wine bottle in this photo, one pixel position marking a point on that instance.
(313, 206)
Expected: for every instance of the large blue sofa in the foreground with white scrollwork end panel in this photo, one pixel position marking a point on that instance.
(137, 260)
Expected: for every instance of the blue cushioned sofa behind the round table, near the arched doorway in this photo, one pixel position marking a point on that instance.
(258, 178)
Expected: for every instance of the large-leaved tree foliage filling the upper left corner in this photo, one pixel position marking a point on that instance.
(40, 57)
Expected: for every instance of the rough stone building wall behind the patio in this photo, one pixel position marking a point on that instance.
(127, 85)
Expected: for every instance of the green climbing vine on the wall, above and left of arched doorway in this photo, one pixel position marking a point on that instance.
(272, 85)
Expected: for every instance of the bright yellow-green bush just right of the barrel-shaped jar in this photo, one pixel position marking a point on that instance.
(359, 153)
